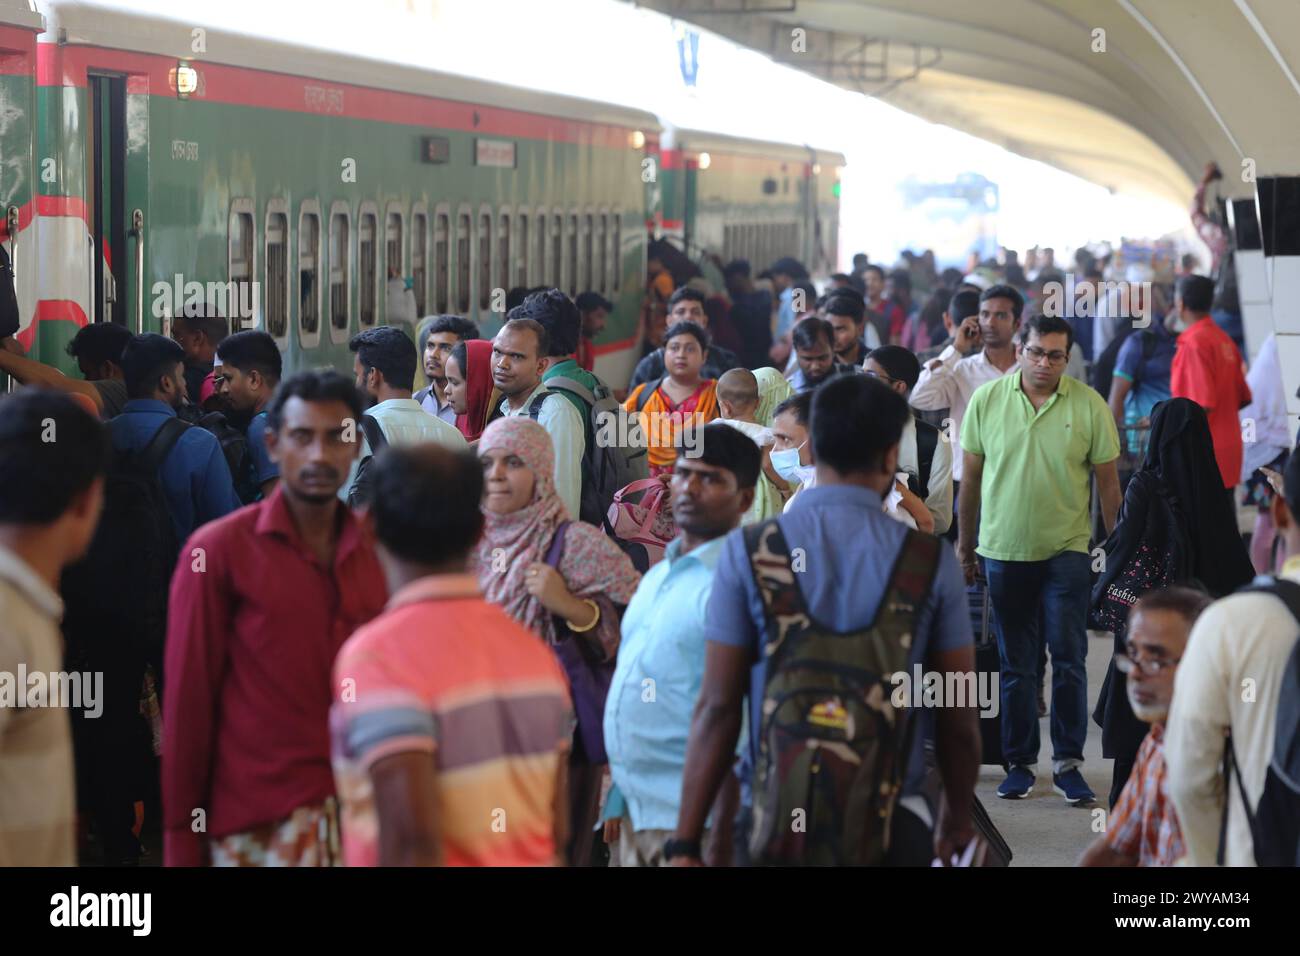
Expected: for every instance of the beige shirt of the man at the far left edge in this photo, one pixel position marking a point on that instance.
(37, 793)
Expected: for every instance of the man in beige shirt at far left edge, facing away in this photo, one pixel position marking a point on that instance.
(53, 461)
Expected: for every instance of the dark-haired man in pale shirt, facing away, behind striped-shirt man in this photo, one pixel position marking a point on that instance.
(385, 371)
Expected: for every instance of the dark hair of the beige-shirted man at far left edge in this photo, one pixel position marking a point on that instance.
(51, 451)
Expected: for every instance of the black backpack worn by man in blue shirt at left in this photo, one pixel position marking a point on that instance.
(119, 591)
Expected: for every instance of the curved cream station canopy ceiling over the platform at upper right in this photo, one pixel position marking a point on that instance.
(1136, 96)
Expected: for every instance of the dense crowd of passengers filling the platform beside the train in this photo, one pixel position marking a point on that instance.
(372, 621)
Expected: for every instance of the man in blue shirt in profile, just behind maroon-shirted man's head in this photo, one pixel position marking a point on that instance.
(249, 367)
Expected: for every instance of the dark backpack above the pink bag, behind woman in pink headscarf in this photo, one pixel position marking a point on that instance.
(608, 466)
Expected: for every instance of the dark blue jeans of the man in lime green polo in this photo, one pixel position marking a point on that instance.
(1019, 591)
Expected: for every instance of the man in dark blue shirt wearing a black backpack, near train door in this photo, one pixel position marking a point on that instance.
(194, 475)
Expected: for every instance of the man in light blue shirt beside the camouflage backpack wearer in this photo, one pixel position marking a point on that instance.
(662, 655)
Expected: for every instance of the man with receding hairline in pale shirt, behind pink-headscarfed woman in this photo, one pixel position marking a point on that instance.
(519, 360)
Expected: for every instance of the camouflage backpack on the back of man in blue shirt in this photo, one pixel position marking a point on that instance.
(833, 749)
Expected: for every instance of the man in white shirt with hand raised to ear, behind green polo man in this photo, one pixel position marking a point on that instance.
(951, 380)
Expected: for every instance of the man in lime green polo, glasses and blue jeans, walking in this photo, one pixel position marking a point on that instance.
(1030, 442)
